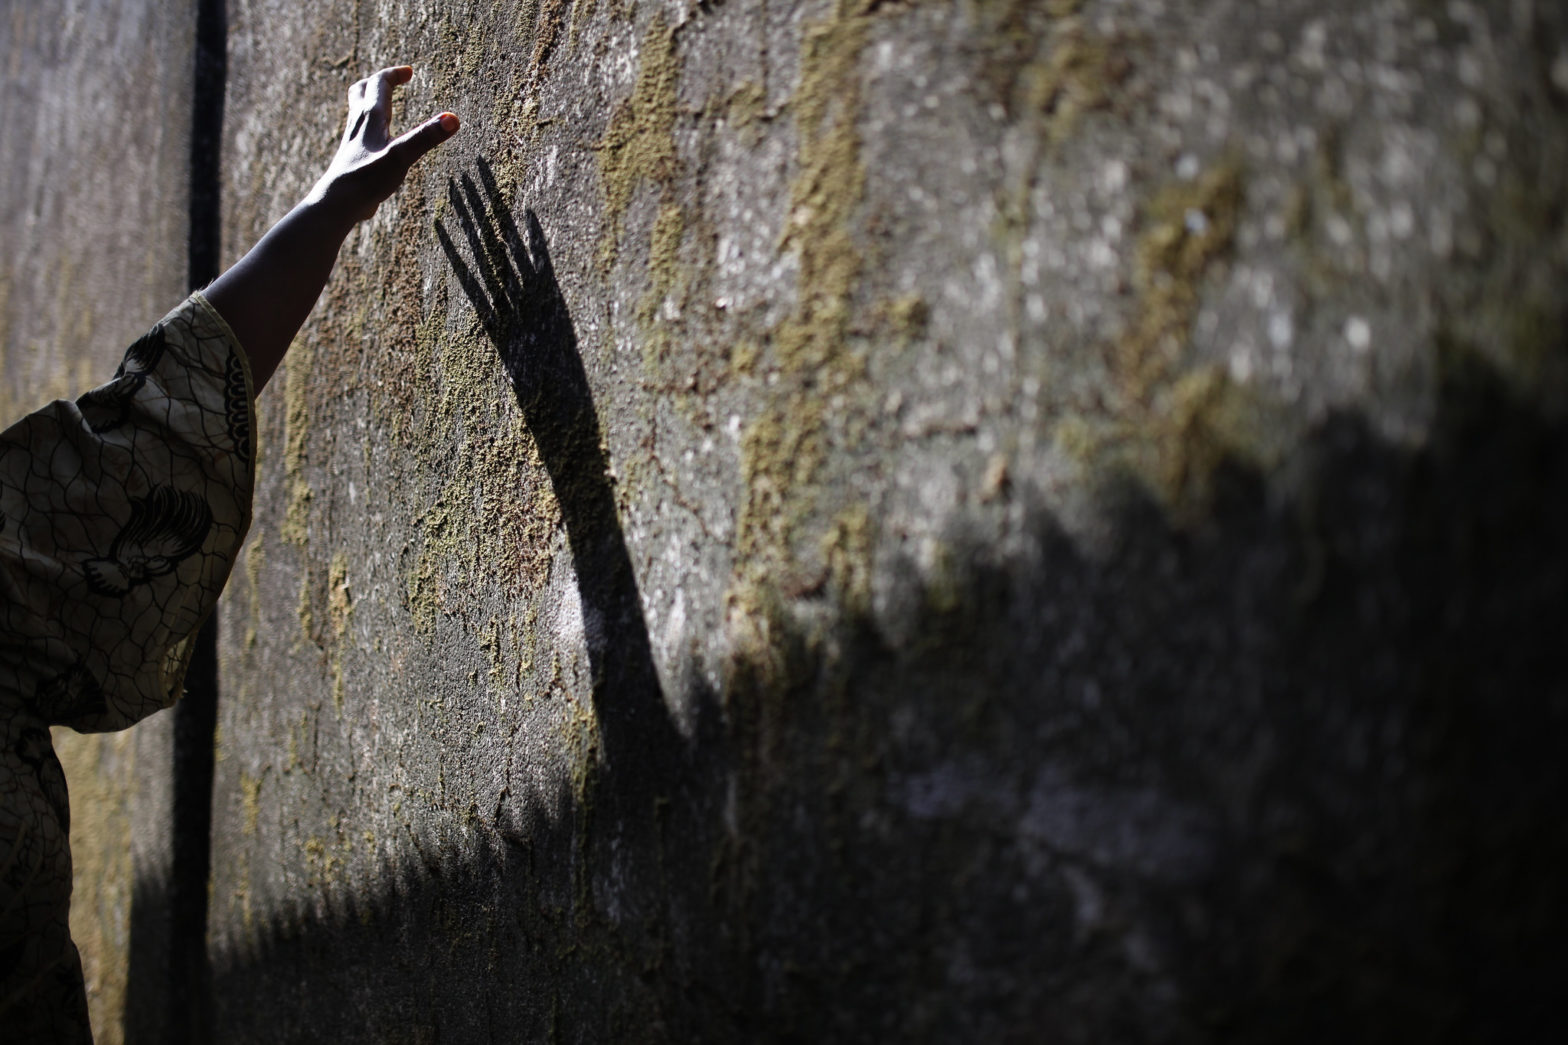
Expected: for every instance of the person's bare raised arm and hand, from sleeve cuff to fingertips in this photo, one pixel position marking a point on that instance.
(267, 296)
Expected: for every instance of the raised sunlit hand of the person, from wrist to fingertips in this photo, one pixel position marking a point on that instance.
(369, 167)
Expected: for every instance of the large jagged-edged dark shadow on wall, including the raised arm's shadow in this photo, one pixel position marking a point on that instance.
(1291, 774)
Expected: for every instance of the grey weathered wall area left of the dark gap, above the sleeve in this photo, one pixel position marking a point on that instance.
(93, 211)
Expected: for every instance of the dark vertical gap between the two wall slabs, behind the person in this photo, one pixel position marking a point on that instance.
(197, 716)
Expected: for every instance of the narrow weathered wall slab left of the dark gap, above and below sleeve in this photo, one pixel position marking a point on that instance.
(93, 208)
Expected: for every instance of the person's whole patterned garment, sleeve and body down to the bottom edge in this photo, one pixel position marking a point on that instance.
(120, 520)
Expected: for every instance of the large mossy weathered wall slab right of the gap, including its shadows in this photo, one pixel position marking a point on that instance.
(956, 522)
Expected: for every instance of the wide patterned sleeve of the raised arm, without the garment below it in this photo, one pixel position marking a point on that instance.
(120, 520)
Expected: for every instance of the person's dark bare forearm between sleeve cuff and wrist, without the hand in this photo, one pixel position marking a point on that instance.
(267, 296)
